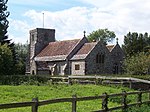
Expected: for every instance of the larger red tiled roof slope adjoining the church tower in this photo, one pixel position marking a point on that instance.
(58, 48)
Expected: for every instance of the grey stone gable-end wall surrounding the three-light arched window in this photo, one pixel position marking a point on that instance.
(98, 68)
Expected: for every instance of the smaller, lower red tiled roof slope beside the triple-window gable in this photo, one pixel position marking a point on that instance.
(87, 47)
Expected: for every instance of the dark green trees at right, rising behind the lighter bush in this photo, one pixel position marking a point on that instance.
(135, 43)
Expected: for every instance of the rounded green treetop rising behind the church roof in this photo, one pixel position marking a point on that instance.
(103, 35)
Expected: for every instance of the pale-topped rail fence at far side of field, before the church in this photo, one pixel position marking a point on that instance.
(133, 83)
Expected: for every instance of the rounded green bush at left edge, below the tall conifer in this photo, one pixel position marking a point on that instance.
(6, 60)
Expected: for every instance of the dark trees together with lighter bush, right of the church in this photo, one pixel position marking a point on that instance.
(137, 50)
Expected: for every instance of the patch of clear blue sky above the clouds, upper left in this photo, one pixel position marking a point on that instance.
(20, 6)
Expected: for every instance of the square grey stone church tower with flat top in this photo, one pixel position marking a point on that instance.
(39, 38)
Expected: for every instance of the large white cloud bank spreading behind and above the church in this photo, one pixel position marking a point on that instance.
(120, 16)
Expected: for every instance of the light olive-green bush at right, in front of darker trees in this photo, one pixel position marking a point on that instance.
(137, 64)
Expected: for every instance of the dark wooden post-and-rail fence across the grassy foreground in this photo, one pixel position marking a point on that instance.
(105, 100)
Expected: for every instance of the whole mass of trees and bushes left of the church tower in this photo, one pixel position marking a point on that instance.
(12, 56)
